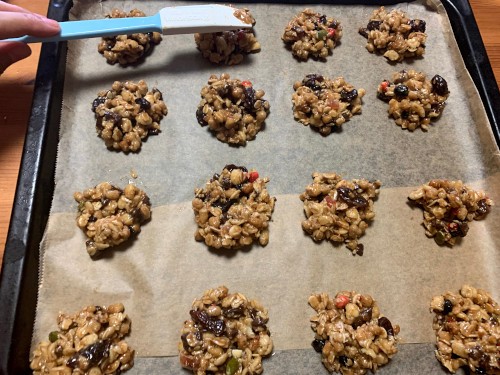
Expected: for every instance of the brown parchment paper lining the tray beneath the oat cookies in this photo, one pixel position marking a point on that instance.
(164, 269)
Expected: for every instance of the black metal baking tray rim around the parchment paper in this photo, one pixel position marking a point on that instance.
(19, 277)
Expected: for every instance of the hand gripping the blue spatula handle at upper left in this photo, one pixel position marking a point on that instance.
(16, 21)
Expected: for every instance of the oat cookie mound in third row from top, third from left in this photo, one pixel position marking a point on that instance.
(339, 210)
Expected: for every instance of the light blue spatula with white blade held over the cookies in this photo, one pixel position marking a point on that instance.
(188, 19)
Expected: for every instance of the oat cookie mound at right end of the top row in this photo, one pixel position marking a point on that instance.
(394, 35)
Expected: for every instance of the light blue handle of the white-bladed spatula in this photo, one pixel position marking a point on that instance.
(97, 28)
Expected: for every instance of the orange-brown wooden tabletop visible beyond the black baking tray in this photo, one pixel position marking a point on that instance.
(16, 90)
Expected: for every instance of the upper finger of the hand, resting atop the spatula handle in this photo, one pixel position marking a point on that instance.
(14, 24)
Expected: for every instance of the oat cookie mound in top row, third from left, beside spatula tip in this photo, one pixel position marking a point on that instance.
(311, 34)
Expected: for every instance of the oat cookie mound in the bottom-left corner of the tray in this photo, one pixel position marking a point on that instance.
(88, 342)
